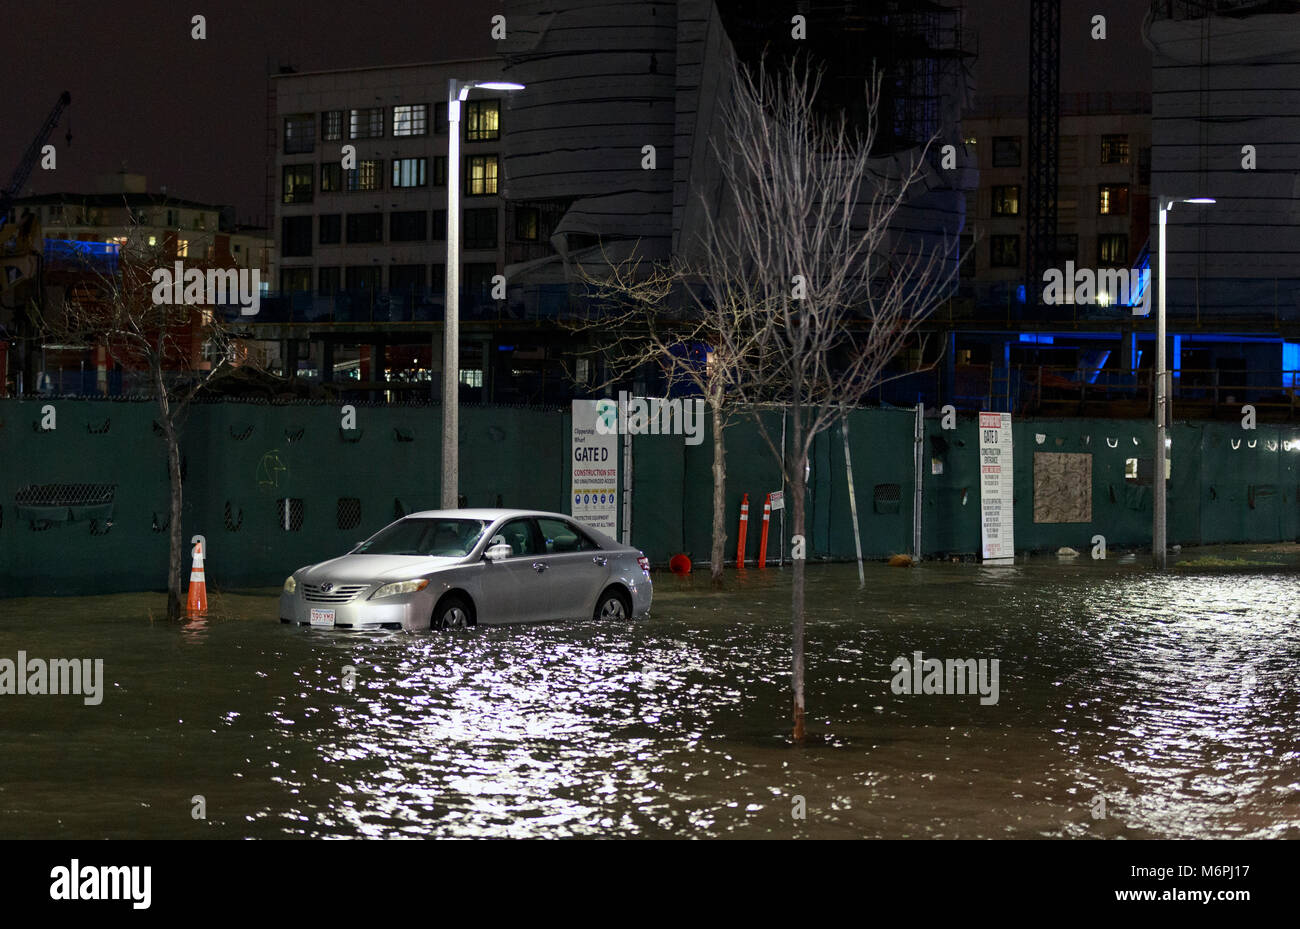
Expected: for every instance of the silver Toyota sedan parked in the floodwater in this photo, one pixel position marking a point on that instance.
(457, 568)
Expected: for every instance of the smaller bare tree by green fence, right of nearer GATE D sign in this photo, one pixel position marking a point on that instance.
(651, 314)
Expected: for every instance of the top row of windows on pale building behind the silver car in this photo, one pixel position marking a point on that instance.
(480, 121)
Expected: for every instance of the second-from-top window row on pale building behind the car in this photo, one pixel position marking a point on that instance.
(480, 177)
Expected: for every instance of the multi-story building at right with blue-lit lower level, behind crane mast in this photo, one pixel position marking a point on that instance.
(1003, 344)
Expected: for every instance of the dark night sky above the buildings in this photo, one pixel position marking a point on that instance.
(192, 115)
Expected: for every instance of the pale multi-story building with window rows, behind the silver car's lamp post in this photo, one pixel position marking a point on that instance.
(361, 206)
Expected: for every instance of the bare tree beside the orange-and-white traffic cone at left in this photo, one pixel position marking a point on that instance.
(183, 349)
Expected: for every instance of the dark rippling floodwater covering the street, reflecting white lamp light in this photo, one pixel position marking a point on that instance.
(1172, 698)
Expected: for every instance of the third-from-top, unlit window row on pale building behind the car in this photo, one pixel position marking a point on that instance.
(478, 229)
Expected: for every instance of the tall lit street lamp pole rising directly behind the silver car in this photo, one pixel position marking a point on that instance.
(457, 93)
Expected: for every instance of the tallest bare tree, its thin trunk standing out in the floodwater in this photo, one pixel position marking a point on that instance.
(809, 246)
